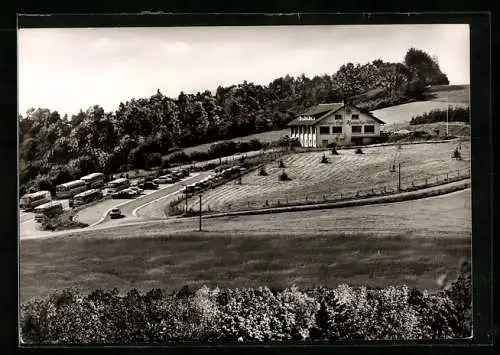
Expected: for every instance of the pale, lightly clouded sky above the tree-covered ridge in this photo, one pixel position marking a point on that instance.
(72, 69)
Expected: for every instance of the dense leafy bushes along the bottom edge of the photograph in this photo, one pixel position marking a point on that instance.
(249, 315)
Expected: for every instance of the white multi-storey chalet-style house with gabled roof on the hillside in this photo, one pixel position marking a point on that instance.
(339, 123)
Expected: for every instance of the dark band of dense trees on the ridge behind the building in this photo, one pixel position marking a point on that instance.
(55, 149)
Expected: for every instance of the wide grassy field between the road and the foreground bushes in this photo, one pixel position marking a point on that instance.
(412, 242)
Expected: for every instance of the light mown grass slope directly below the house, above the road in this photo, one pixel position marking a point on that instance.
(345, 173)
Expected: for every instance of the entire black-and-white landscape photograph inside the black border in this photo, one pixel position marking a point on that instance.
(292, 184)
